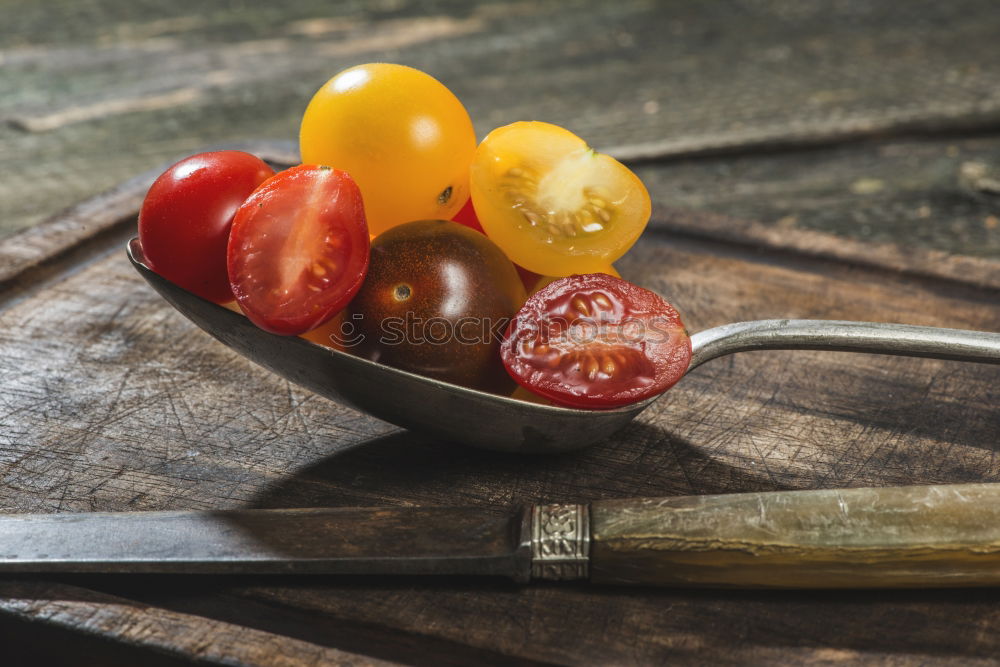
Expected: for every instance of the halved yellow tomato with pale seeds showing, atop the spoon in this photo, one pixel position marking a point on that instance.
(553, 204)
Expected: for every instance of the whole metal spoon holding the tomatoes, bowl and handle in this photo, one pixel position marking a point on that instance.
(506, 424)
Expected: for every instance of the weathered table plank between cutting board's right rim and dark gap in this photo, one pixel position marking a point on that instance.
(928, 205)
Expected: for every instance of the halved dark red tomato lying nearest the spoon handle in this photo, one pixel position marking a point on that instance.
(595, 341)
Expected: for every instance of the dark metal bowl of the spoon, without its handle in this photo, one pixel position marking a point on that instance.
(405, 399)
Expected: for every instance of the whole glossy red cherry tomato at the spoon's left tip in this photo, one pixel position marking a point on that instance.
(185, 219)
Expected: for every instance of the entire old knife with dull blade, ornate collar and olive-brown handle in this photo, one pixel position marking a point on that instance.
(916, 536)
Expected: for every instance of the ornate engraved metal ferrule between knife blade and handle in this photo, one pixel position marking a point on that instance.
(560, 541)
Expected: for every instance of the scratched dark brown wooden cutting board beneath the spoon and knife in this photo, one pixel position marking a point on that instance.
(112, 401)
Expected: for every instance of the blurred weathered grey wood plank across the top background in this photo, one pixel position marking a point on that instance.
(645, 79)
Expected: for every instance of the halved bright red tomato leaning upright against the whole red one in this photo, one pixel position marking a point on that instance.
(298, 250)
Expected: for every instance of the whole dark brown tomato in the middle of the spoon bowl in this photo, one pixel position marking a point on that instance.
(436, 301)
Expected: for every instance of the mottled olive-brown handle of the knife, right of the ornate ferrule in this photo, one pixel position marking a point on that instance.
(917, 536)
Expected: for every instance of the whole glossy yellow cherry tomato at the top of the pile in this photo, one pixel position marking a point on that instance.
(400, 133)
